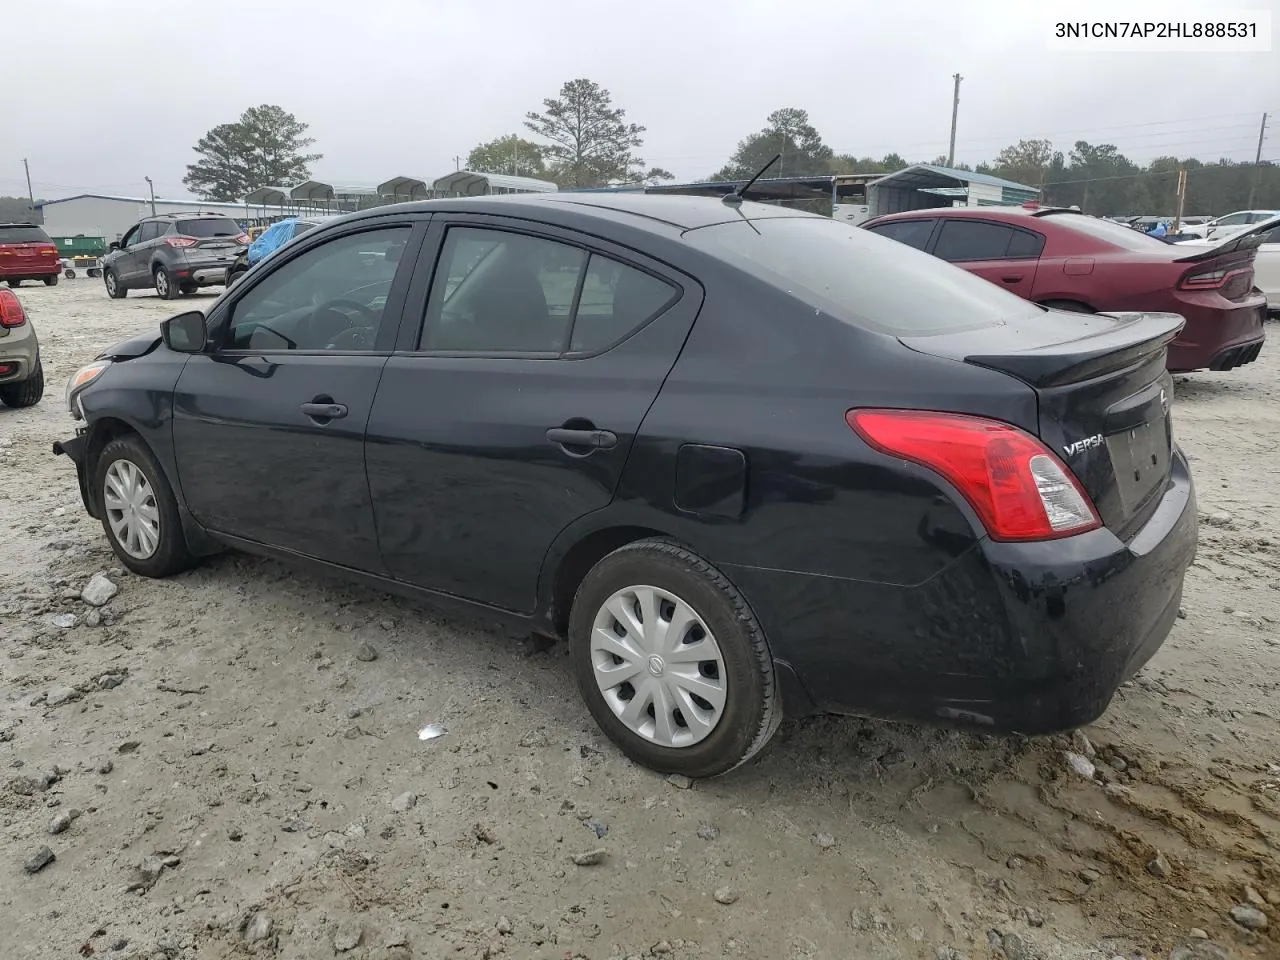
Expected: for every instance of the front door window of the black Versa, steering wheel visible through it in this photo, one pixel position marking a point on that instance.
(331, 298)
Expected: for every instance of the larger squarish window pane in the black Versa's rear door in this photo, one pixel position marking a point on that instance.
(499, 292)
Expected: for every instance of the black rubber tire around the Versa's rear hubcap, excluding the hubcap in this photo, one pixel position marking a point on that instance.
(753, 706)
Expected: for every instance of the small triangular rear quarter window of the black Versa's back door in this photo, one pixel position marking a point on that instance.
(616, 300)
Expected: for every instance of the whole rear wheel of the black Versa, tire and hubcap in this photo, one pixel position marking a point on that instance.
(671, 661)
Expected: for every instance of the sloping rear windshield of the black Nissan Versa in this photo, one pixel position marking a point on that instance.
(863, 280)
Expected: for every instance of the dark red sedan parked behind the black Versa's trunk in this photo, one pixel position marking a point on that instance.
(1067, 260)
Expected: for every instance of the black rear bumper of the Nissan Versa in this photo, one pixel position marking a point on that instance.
(1025, 638)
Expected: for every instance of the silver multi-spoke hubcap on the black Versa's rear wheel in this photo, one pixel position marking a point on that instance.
(659, 666)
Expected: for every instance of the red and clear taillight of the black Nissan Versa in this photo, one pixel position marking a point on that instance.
(1016, 484)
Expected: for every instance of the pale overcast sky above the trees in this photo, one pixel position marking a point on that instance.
(100, 97)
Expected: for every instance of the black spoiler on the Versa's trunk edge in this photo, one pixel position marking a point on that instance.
(1132, 340)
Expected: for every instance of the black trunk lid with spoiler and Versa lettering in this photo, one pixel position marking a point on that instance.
(1104, 397)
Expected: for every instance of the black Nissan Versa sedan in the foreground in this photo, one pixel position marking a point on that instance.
(747, 461)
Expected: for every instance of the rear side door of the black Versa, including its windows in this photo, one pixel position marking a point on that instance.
(513, 414)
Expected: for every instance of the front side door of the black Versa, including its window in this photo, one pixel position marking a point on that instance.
(269, 428)
